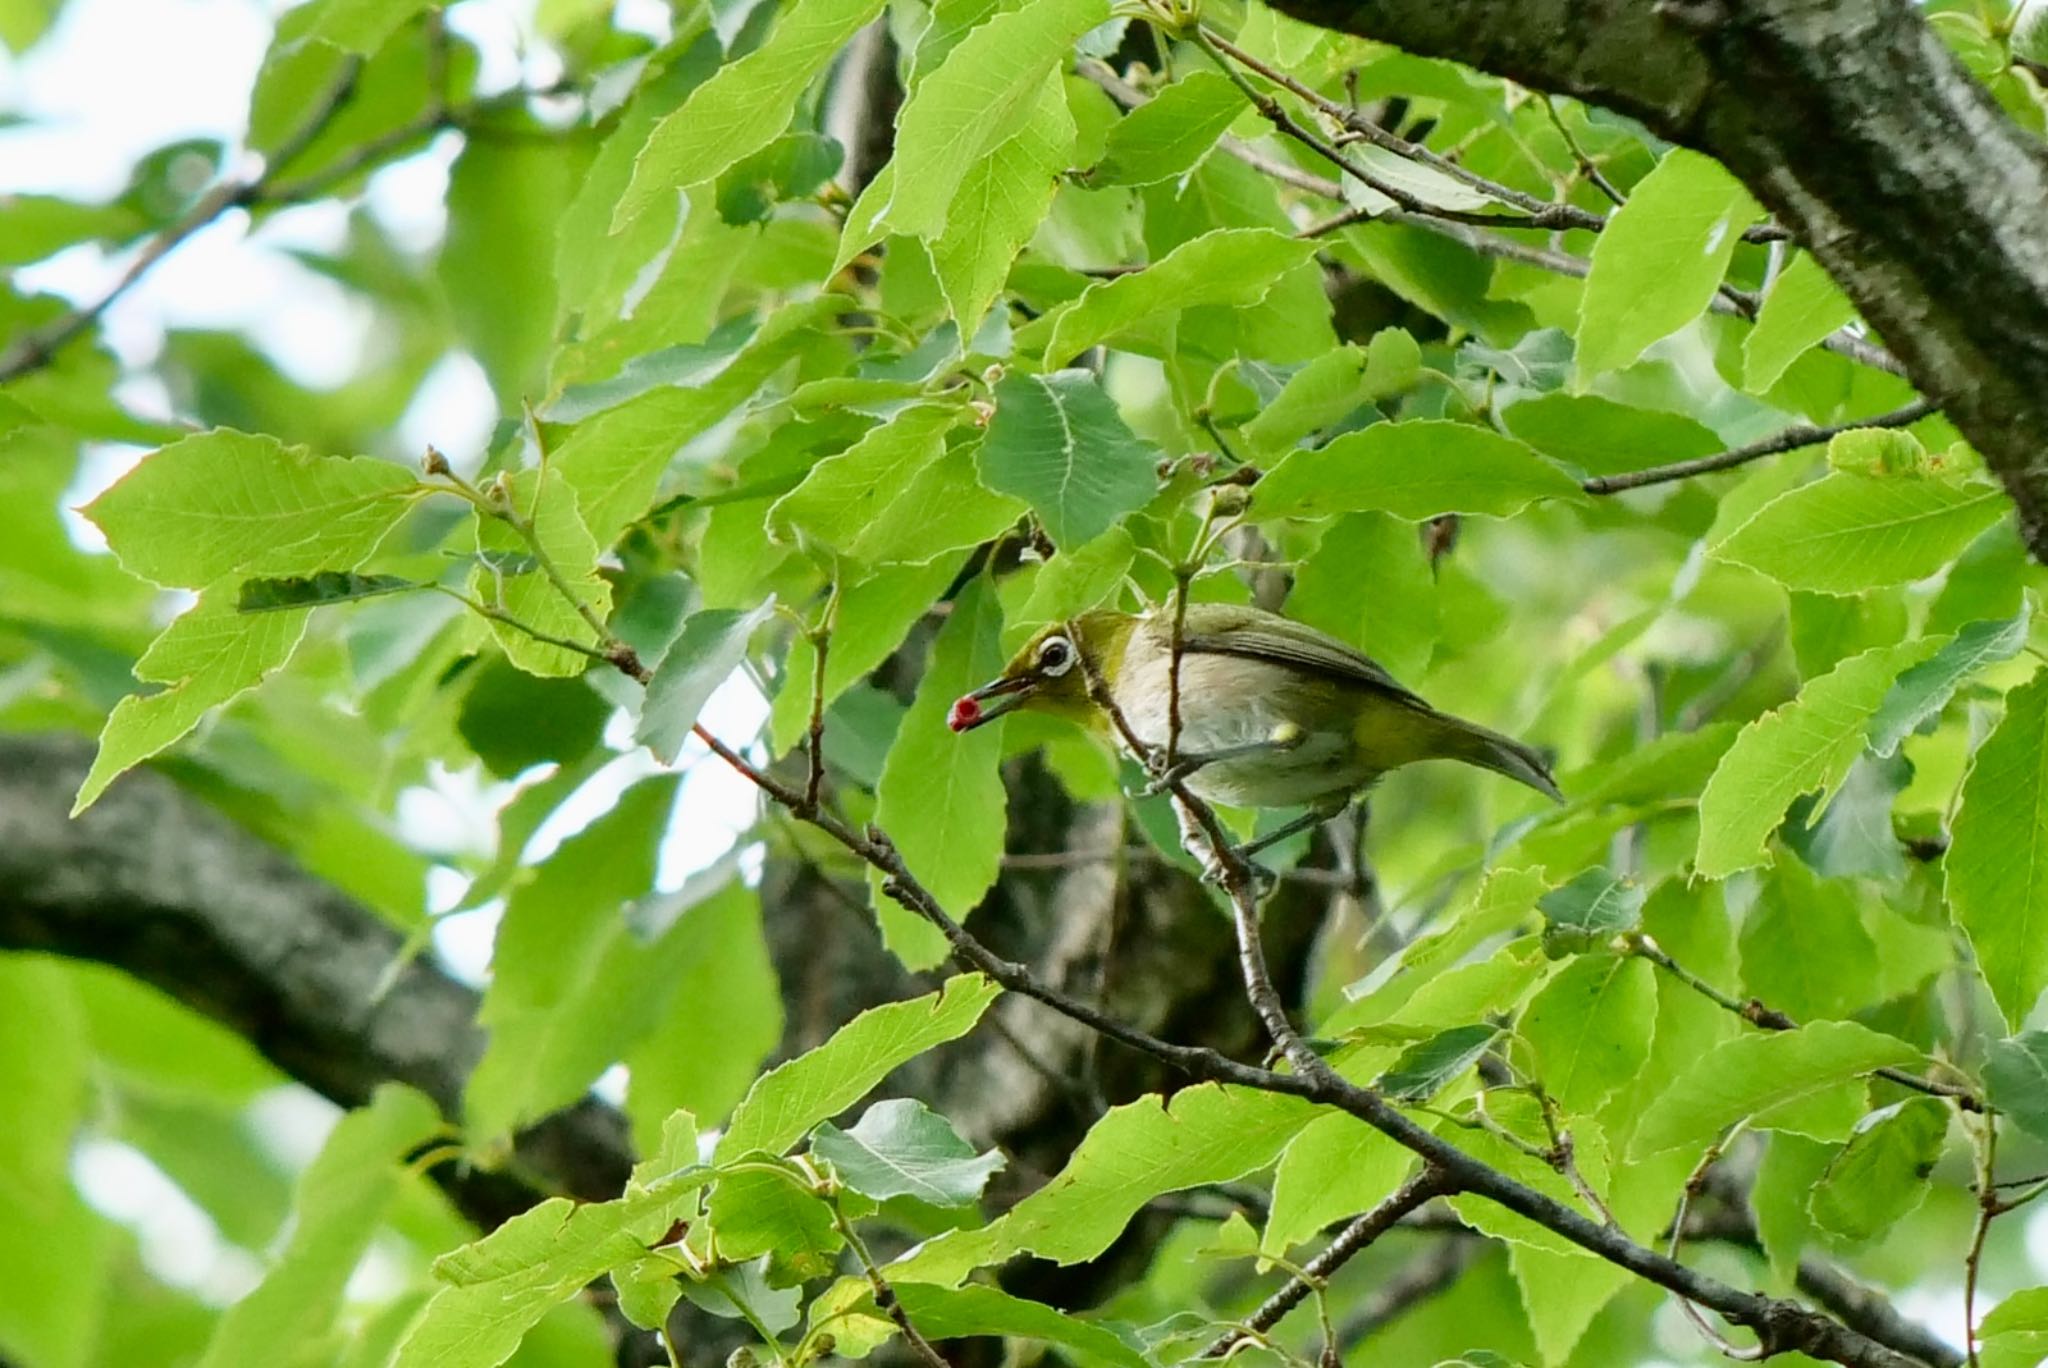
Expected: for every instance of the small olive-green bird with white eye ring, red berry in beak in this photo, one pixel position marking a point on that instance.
(1273, 714)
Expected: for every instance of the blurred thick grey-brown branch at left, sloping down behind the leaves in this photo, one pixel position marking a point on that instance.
(163, 888)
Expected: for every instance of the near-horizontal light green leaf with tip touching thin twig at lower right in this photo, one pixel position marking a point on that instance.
(1754, 1074)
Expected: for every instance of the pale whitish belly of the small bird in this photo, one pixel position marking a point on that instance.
(1230, 703)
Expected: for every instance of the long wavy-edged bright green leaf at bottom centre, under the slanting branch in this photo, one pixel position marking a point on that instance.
(1203, 1136)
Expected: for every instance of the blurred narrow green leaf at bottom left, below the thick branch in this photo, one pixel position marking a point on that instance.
(341, 1205)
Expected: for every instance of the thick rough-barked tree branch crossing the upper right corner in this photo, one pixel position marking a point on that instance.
(1859, 130)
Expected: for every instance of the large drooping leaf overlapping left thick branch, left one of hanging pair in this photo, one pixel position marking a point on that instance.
(572, 986)
